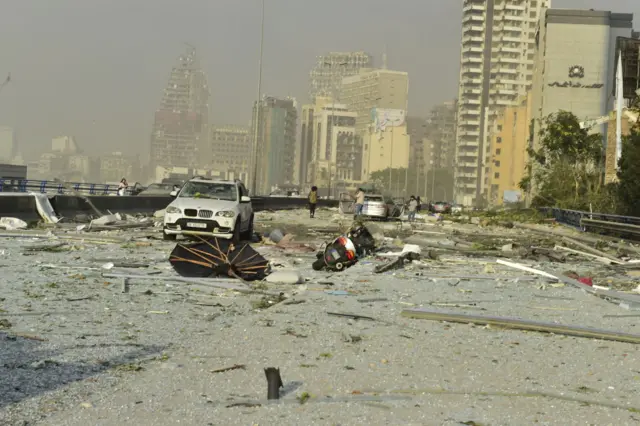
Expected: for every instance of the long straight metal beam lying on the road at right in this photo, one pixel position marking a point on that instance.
(520, 324)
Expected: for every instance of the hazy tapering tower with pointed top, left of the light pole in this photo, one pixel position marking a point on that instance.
(180, 128)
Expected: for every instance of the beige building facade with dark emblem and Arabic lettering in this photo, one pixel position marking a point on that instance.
(576, 59)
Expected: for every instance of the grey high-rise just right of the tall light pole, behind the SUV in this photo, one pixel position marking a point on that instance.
(275, 154)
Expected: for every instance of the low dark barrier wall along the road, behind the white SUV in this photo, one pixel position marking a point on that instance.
(23, 206)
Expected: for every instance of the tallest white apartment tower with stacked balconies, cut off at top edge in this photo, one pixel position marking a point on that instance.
(497, 66)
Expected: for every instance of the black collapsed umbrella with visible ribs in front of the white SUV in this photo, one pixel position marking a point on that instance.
(215, 257)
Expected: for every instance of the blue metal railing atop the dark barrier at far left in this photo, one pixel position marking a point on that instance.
(52, 187)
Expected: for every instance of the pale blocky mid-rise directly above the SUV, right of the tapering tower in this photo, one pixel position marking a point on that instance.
(231, 148)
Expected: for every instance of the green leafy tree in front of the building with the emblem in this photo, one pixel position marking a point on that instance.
(567, 170)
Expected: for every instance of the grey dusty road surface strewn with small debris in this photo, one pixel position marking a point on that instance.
(76, 350)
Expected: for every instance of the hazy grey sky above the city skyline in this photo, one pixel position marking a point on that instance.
(96, 69)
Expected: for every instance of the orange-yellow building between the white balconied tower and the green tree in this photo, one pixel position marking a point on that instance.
(507, 161)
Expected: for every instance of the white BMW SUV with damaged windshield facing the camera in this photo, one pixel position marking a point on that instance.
(215, 208)
